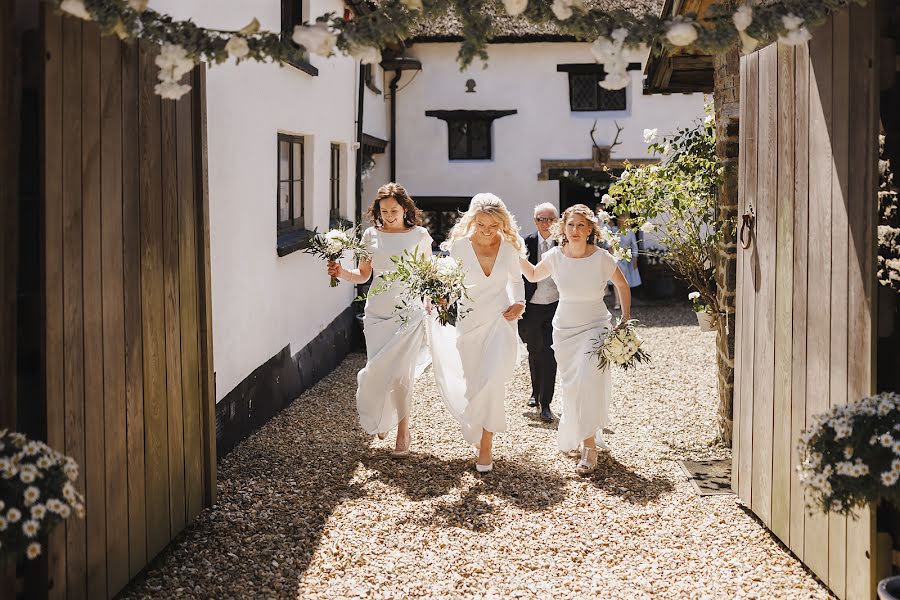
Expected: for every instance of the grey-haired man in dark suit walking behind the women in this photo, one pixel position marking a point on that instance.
(535, 327)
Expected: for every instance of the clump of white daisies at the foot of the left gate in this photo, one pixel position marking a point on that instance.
(36, 493)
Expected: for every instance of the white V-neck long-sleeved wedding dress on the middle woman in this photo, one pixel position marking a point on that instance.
(473, 361)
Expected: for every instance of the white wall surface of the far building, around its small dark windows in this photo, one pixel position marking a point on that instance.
(521, 77)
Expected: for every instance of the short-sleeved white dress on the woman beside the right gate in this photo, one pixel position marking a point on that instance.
(581, 318)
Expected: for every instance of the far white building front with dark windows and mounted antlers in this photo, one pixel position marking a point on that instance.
(516, 125)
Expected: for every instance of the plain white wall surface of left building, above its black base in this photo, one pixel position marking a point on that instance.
(261, 302)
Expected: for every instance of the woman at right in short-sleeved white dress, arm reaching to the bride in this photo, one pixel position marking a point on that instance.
(580, 270)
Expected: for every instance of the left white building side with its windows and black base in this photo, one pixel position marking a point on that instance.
(282, 161)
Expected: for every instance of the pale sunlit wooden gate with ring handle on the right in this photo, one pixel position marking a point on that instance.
(805, 338)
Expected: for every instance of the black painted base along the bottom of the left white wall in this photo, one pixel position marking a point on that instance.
(280, 380)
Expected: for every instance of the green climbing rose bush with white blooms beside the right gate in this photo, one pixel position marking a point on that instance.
(682, 191)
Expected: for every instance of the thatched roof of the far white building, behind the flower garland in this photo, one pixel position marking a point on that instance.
(448, 28)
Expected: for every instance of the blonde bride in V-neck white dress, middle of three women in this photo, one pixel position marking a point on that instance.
(487, 242)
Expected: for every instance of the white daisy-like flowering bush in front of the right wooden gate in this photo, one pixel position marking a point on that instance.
(850, 456)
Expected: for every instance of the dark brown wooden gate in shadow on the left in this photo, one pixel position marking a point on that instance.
(127, 352)
